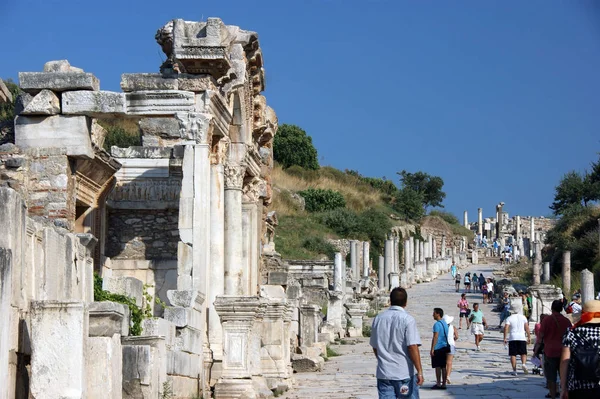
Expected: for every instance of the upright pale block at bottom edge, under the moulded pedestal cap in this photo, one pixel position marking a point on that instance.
(104, 363)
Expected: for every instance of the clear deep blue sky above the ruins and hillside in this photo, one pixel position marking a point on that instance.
(499, 98)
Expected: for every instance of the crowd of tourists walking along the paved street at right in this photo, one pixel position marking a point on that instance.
(562, 349)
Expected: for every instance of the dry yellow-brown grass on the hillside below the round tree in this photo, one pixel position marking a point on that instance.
(358, 195)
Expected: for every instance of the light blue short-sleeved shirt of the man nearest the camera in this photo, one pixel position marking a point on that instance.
(392, 332)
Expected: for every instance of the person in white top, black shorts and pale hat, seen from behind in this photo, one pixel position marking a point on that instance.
(517, 335)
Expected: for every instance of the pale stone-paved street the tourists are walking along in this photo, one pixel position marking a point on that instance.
(484, 374)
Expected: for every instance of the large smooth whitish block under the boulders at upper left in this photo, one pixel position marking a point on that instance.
(69, 132)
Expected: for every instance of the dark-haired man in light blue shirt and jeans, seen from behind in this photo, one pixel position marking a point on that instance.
(395, 341)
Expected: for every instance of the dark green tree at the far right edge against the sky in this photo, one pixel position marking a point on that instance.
(572, 192)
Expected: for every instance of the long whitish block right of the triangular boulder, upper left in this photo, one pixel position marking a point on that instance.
(93, 103)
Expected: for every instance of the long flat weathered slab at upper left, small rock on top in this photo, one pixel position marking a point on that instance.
(33, 82)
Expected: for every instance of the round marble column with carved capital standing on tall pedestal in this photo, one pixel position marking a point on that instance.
(234, 266)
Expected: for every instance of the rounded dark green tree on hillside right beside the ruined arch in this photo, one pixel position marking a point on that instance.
(292, 146)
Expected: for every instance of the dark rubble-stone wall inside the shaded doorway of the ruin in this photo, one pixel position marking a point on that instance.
(142, 234)
